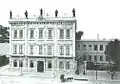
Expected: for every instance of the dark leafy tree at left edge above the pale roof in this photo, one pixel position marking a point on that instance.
(4, 34)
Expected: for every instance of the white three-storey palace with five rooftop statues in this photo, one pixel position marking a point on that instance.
(42, 44)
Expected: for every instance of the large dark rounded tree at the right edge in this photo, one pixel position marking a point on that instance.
(113, 52)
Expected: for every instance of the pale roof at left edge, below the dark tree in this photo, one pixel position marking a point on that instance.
(4, 48)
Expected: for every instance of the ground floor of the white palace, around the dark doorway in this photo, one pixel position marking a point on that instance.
(42, 64)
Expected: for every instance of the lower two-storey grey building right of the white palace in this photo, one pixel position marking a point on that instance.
(92, 50)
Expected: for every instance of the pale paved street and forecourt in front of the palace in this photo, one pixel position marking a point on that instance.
(7, 77)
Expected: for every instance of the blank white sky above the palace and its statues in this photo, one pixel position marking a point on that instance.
(94, 17)
